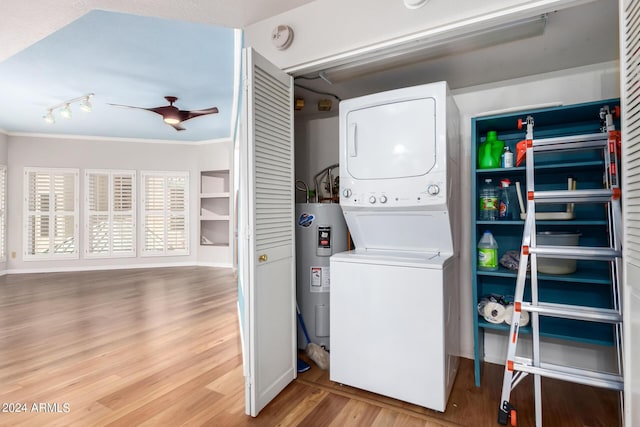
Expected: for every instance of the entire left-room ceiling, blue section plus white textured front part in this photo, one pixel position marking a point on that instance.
(130, 52)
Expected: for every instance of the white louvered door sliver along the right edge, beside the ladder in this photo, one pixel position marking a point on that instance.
(630, 76)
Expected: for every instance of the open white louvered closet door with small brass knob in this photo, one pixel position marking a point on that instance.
(269, 184)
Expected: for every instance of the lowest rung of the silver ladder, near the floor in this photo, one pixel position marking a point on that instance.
(575, 375)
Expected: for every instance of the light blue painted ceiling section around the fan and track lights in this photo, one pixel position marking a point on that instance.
(123, 59)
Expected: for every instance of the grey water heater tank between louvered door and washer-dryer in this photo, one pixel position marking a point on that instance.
(321, 231)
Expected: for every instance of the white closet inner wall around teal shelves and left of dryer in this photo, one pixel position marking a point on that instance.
(320, 148)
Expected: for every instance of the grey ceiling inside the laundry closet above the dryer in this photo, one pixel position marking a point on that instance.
(574, 37)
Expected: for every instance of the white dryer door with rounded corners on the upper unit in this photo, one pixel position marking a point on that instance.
(392, 140)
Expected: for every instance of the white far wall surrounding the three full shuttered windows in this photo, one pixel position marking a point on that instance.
(93, 153)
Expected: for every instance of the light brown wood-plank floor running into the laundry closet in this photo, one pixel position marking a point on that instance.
(161, 347)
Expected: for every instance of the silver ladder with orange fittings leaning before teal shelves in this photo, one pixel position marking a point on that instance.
(516, 368)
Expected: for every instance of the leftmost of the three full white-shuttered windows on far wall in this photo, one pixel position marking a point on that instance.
(51, 213)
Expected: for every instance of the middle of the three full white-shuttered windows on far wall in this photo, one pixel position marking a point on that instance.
(110, 213)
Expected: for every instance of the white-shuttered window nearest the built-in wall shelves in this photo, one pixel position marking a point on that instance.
(166, 219)
